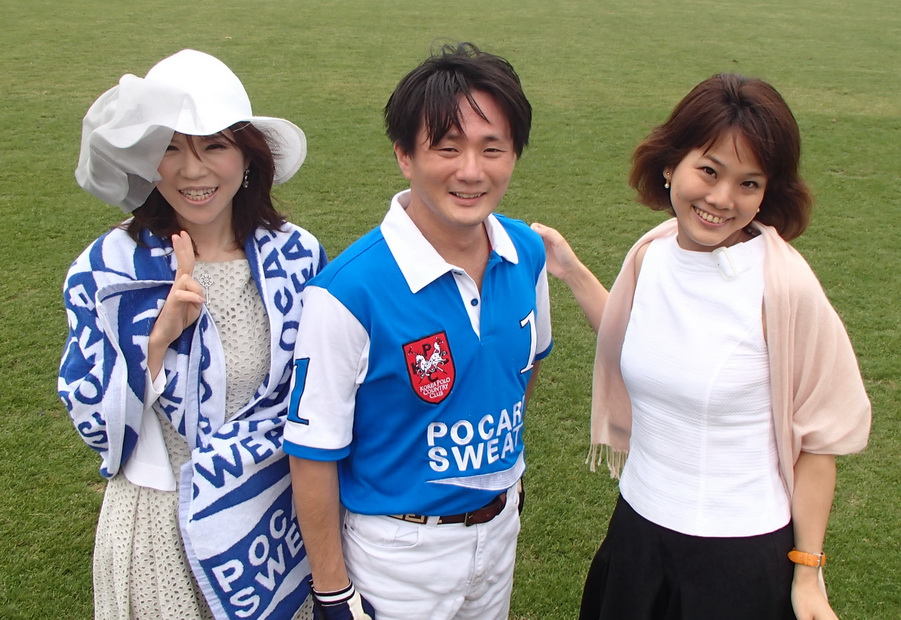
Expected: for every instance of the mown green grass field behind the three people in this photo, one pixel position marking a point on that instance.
(599, 75)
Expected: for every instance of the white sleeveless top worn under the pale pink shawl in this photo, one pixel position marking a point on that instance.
(702, 458)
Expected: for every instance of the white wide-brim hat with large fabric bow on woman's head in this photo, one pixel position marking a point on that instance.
(126, 132)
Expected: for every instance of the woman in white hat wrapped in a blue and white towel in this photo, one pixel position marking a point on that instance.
(182, 323)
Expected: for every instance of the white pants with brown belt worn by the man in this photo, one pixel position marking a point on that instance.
(434, 572)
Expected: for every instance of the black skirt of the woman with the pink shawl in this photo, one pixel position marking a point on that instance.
(643, 571)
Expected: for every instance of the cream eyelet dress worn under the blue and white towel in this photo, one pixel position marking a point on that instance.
(140, 566)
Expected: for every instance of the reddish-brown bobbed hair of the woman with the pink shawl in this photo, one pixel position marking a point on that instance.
(757, 112)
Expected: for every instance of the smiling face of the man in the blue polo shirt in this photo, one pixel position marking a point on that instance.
(458, 181)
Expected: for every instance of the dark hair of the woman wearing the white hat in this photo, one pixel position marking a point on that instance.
(252, 206)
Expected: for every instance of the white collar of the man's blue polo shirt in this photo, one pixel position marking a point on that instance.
(418, 260)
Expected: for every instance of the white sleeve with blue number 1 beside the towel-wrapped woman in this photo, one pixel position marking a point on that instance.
(330, 362)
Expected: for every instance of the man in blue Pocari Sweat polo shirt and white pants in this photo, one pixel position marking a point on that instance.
(416, 353)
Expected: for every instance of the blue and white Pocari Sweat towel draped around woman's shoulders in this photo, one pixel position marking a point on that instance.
(235, 506)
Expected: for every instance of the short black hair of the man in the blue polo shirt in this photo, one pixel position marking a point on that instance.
(429, 96)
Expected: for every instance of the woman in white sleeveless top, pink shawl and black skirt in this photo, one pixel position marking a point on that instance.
(721, 370)
